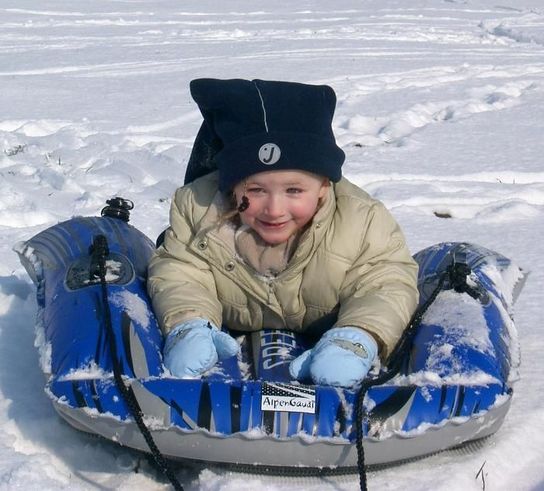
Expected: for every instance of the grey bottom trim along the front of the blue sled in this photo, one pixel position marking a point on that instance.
(202, 445)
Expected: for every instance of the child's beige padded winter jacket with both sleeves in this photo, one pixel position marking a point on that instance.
(351, 265)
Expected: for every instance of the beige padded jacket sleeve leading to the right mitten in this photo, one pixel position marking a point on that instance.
(379, 293)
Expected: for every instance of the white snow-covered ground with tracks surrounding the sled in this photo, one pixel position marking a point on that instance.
(440, 111)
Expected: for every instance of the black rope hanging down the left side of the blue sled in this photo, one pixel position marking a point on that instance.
(99, 251)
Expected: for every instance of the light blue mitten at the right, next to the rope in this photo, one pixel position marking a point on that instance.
(342, 358)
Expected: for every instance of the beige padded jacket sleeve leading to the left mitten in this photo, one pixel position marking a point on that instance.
(180, 283)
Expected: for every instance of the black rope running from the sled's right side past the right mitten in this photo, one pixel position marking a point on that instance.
(396, 358)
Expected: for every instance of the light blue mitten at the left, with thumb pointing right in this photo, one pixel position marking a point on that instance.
(194, 346)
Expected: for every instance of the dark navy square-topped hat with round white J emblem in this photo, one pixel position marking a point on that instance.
(256, 126)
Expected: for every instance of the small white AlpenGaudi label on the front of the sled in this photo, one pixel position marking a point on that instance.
(284, 397)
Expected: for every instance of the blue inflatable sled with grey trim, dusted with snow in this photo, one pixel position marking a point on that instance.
(454, 382)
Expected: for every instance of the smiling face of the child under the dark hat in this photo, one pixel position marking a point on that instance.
(280, 202)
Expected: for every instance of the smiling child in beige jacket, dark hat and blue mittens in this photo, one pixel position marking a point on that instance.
(276, 238)
